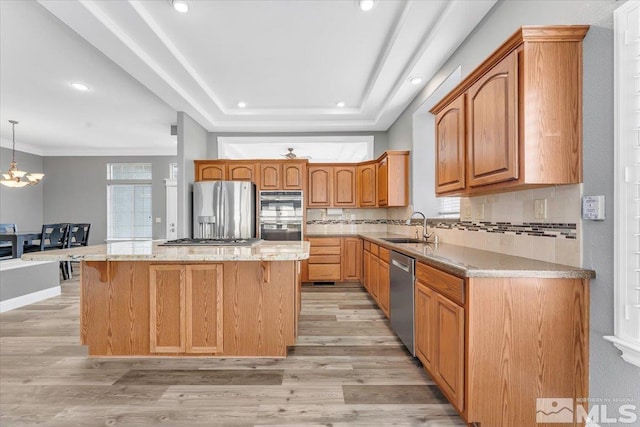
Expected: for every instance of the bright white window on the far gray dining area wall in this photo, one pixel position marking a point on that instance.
(129, 215)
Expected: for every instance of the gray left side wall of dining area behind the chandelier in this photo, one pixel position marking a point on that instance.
(22, 206)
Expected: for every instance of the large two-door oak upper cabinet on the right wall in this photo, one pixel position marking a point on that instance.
(517, 118)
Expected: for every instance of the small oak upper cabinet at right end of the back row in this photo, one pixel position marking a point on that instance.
(393, 179)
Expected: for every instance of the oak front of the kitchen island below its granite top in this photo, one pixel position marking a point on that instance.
(258, 308)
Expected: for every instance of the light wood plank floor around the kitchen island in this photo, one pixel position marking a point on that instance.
(348, 369)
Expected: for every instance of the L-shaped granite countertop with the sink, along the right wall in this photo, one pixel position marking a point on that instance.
(462, 261)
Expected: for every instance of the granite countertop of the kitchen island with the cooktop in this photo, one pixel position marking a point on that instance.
(151, 251)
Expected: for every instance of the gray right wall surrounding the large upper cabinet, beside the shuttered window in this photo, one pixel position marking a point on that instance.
(610, 376)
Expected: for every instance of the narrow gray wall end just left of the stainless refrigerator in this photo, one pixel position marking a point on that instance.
(192, 145)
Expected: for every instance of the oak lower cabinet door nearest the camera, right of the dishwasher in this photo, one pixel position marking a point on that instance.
(450, 349)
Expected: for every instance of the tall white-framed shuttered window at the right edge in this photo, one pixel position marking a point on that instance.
(627, 182)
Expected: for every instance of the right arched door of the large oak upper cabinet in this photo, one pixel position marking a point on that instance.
(492, 125)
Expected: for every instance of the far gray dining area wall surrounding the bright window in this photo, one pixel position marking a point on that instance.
(75, 190)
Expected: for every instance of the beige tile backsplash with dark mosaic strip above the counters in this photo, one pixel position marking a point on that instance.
(504, 223)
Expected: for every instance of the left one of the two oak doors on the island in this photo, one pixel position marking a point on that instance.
(167, 309)
